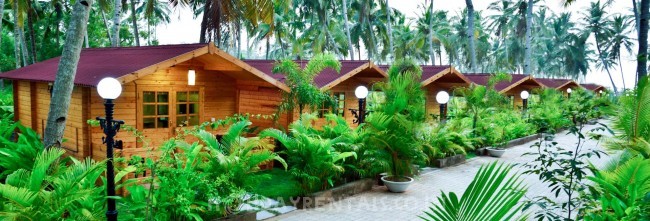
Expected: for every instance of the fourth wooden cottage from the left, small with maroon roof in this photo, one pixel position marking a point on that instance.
(511, 89)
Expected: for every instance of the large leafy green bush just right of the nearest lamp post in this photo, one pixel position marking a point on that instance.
(205, 179)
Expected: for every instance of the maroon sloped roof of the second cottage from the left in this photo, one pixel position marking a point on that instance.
(325, 77)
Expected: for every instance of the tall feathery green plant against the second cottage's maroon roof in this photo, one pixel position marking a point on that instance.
(304, 92)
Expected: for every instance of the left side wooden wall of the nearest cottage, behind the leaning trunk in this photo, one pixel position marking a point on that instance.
(33, 106)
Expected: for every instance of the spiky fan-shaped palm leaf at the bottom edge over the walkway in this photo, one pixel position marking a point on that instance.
(493, 194)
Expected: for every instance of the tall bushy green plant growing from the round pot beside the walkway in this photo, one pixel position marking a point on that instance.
(397, 121)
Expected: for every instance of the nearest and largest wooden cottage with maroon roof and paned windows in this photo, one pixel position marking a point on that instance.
(157, 98)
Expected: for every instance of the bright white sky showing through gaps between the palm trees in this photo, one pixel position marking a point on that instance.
(183, 28)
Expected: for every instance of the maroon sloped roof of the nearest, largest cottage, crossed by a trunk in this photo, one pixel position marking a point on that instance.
(97, 63)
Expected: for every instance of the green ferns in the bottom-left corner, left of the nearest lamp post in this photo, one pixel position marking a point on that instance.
(55, 189)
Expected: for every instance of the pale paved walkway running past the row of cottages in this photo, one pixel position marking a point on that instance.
(379, 204)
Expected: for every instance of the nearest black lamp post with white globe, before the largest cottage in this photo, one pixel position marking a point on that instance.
(110, 89)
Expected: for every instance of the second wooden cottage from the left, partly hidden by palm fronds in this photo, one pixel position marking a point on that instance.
(341, 85)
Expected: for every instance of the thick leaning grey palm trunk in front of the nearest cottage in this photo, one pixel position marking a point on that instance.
(64, 82)
